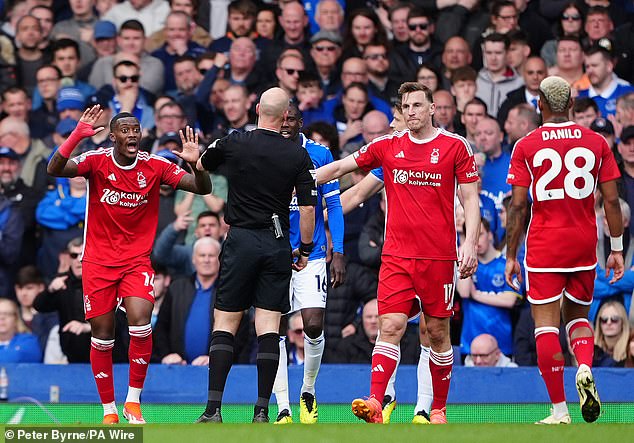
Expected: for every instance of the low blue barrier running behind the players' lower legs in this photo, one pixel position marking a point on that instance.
(336, 384)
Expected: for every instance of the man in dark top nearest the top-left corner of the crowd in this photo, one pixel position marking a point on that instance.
(29, 56)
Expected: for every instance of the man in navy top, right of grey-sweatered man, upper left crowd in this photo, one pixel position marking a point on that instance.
(178, 42)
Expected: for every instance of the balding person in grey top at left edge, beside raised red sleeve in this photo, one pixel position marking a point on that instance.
(32, 152)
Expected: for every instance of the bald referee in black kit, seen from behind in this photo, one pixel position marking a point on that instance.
(255, 265)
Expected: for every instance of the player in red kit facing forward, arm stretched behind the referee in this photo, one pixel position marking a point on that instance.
(421, 167)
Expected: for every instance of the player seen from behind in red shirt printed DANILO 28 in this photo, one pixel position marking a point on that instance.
(561, 164)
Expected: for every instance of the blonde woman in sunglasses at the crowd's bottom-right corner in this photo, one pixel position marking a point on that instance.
(611, 335)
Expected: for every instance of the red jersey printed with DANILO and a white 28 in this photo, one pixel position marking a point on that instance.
(561, 164)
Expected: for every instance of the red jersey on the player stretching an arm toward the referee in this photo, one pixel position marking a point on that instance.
(420, 186)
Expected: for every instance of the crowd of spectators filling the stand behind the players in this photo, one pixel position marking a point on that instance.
(204, 63)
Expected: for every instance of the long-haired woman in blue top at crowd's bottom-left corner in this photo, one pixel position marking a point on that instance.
(16, 345)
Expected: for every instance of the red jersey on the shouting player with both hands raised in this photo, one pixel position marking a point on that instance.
(122, 204)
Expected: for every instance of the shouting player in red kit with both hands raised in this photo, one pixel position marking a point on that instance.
(121, 219)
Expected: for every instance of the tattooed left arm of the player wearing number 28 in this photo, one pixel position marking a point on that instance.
(516, 218)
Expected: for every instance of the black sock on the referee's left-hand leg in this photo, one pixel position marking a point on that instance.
(220, 361)
